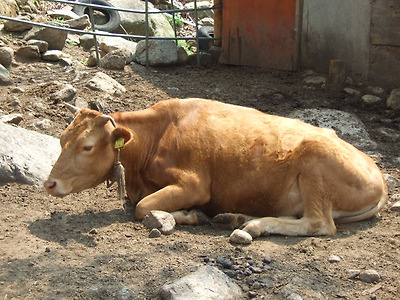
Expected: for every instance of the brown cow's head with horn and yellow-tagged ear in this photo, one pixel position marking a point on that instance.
(88, 153)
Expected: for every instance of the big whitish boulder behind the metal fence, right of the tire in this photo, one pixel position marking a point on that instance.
(135, 23)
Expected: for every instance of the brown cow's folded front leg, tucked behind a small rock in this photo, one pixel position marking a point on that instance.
(174, 199)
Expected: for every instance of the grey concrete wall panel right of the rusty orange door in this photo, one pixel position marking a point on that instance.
(336, 29)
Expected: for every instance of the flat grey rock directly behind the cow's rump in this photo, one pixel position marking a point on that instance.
(347, 126)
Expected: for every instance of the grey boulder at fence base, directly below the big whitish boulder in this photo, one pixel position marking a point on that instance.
(161, 53)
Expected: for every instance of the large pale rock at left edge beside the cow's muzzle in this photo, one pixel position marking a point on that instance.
(26, 156)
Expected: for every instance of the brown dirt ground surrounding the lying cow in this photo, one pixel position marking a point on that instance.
(84, 246)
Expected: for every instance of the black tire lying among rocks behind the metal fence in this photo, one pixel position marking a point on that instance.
(113, 17)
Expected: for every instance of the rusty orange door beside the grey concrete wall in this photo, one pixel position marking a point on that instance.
(259, 33)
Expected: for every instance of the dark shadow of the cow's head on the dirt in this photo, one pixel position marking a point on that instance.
(63, 227)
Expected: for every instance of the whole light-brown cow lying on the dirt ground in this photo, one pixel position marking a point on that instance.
(262, 173)
